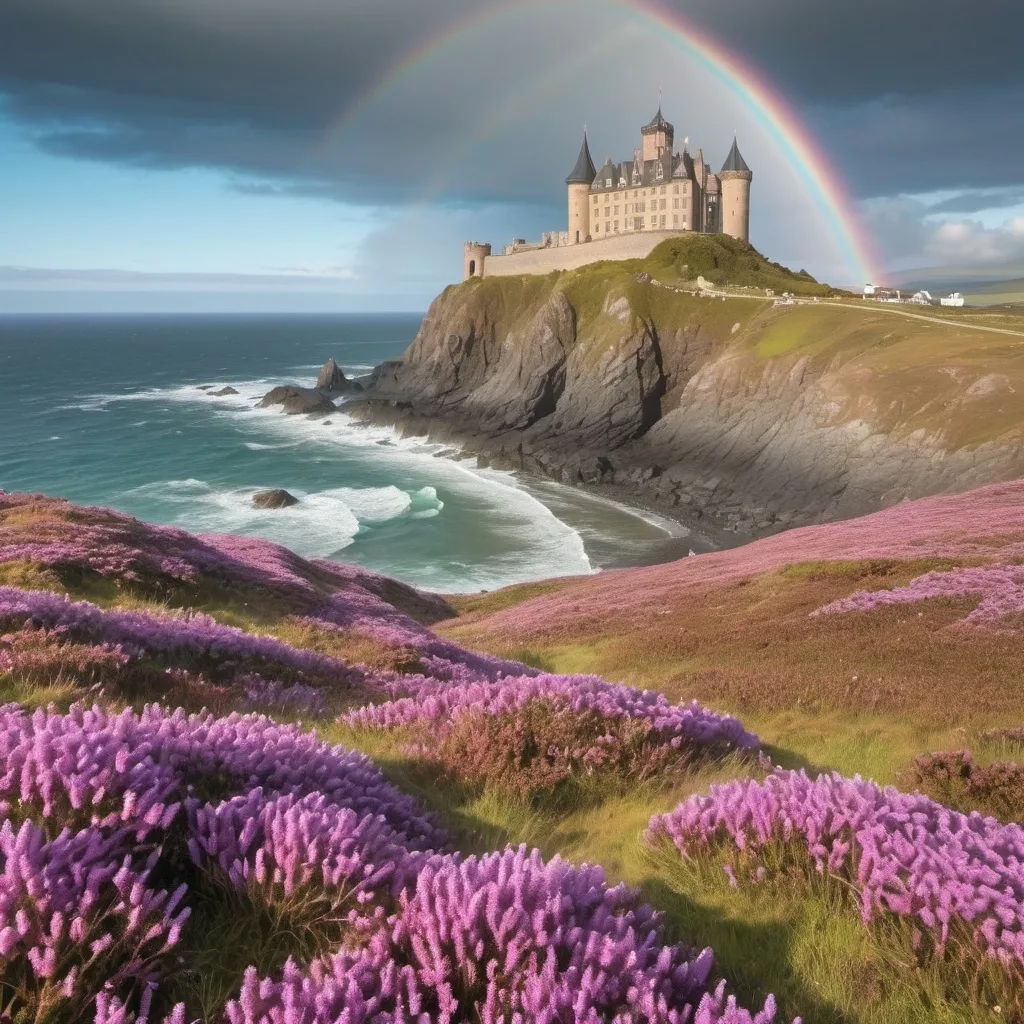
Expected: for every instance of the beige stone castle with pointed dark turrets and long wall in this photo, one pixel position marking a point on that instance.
(624, 210)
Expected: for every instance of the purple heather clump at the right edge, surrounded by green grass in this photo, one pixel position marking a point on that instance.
(907, 856)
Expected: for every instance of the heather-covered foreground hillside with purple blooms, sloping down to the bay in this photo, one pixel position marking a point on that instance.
(191, 829)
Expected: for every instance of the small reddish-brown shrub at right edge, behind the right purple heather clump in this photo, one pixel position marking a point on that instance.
(955, 780)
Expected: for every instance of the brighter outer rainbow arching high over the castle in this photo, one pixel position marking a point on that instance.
(761, 100)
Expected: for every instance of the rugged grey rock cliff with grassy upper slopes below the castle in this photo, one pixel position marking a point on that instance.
(758, 417)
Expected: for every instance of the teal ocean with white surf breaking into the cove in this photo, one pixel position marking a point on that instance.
(109, 411)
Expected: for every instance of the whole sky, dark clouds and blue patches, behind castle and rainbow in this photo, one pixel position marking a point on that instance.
(187, 155)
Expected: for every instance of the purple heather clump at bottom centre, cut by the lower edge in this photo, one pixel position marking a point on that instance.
(505, 937)
